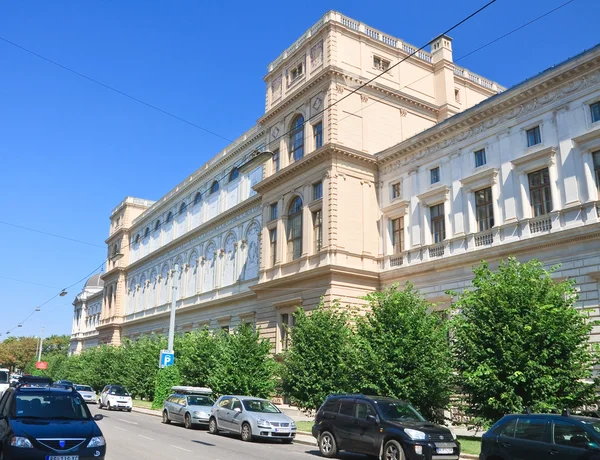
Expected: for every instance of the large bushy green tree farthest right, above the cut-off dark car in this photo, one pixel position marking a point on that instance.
(520, 342)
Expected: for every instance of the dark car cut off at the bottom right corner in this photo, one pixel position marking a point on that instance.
(542, 436)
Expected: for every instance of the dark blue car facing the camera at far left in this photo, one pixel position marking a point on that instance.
(39, 421)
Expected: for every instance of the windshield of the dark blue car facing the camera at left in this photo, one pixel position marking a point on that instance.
(51, 407)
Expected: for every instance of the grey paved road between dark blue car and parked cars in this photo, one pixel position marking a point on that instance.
(131, 435)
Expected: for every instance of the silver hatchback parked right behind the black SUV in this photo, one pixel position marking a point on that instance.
(251, 418)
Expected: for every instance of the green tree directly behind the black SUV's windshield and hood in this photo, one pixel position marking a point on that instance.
(405, 351)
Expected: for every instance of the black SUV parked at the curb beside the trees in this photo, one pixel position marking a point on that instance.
(382, 427)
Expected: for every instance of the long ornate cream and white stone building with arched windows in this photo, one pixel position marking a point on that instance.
(335, 193)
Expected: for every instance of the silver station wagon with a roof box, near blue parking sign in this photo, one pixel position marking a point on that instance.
(188, 405)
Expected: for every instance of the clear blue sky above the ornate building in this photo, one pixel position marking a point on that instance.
(71, 150)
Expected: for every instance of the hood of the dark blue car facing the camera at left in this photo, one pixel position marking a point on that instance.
(35, 428)
